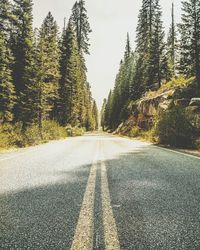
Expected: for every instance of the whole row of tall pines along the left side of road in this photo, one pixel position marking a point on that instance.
(43, 75)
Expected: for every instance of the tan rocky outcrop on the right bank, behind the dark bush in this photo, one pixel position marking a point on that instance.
(144, 111)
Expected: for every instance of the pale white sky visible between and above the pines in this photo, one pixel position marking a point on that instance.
(110, 21)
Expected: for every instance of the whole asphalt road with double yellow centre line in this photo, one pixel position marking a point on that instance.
(99, 192)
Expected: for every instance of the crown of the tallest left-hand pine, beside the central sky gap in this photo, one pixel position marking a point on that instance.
(82, 26)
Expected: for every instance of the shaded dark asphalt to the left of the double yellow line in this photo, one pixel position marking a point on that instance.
(43, 217)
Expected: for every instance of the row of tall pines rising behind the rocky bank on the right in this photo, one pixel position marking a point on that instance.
(156, 59)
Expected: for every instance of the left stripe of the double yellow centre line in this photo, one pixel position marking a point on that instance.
(83, 239)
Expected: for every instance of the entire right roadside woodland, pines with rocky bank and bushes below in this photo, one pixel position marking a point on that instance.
(162, 73)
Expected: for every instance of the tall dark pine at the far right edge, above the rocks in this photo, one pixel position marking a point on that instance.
(190, 37)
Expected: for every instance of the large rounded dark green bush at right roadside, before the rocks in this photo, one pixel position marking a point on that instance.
(174, 129)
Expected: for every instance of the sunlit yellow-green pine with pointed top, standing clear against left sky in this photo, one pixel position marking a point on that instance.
(48, 56)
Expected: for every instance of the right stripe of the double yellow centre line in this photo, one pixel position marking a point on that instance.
(110, 228)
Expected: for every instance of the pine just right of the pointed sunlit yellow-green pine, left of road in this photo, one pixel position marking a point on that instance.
(70, 78)
